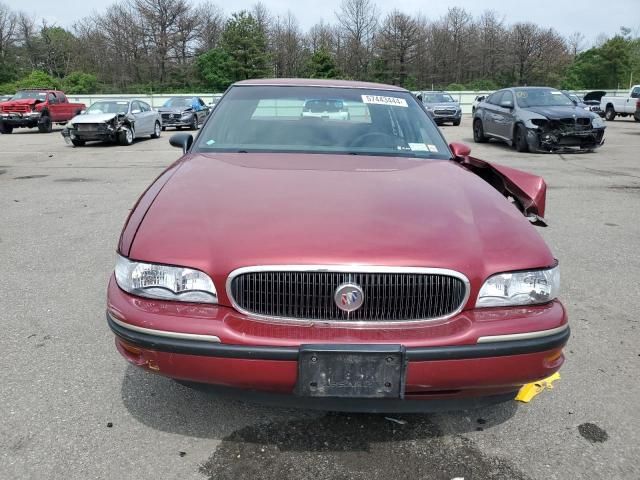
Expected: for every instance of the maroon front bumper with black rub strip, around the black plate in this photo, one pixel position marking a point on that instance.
(477, 357)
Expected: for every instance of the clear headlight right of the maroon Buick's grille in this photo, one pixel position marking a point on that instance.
(520, 288)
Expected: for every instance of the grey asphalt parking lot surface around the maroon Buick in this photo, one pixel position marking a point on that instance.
(72, 408)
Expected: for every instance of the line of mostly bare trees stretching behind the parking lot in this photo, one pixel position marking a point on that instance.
(172, 46)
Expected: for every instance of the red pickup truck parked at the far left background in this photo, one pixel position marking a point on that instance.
(37, 108)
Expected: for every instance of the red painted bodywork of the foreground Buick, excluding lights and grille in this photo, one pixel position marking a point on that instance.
(223, 211)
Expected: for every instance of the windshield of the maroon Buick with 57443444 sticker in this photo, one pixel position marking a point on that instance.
(281, 119)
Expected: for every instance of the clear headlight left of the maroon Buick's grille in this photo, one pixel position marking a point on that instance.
(164, 282)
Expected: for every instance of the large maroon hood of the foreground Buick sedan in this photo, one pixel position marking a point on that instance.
(219, 212)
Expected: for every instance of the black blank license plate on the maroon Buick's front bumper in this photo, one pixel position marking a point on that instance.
(351, 371)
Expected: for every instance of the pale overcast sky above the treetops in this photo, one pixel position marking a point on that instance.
(591, 17)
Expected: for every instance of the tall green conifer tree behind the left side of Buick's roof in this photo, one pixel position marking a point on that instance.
(245, 42)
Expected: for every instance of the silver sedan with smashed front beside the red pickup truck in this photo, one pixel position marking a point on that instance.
(120, 121)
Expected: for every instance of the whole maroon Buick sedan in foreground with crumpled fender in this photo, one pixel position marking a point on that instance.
(344, 262)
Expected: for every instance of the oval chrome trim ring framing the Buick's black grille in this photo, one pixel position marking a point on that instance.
(347, 269)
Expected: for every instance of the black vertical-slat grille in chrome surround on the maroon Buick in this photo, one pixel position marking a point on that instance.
(401, 294)
